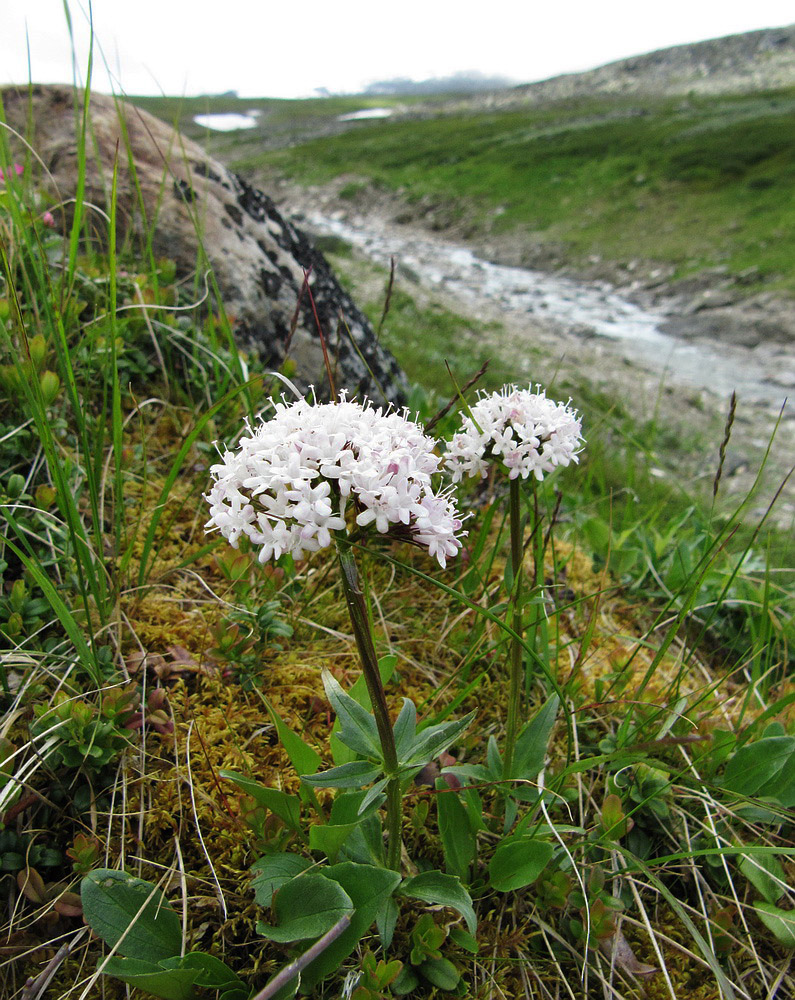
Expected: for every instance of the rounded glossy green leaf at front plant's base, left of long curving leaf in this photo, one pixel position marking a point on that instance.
(307, 907)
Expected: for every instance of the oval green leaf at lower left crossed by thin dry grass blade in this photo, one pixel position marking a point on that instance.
(132, 914)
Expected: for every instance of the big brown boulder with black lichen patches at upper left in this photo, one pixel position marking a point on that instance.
(175, 190)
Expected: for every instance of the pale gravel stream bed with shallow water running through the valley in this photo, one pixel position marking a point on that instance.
(553, 326)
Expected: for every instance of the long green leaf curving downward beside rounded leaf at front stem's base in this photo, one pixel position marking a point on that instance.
(368, 888)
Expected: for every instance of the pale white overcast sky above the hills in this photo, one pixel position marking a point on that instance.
(284, 48)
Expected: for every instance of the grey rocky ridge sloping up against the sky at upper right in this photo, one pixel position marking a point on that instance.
(751, 61)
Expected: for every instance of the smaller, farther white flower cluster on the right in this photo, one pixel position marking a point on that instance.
(527, 432)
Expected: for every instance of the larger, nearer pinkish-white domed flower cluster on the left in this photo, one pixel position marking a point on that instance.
(288, 484)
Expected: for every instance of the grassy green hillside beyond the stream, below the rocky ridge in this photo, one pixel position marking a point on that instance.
(696, 182)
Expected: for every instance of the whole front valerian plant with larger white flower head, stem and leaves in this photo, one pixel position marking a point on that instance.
(313, 476)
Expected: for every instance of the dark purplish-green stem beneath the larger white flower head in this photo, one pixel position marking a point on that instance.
(357, 609)
